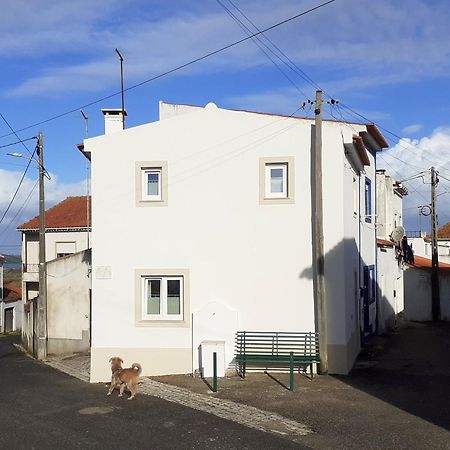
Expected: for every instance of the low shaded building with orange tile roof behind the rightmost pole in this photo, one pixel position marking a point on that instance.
(418, 305)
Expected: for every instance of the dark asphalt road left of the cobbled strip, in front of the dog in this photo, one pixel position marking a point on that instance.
(41, 408)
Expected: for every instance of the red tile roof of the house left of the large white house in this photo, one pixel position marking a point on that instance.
(70, 213)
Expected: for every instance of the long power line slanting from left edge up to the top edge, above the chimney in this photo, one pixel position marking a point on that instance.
(175, 69)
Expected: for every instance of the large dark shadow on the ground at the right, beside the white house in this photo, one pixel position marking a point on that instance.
(409, 369)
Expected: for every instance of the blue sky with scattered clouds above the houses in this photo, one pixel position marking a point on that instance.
(388, 59)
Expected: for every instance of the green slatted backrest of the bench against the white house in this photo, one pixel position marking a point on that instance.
(277, 343)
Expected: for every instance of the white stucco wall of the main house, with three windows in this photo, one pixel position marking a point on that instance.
(251, 258)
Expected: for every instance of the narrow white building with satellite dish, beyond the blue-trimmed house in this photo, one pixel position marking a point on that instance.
(390, 258)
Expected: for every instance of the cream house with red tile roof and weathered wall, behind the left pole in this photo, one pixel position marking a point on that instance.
(67, 236)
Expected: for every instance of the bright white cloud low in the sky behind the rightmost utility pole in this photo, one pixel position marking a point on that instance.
(408, 158)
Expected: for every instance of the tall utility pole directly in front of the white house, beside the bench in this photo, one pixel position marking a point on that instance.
(318, 260)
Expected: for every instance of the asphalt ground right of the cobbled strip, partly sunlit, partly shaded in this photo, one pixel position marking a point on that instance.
(396, 397)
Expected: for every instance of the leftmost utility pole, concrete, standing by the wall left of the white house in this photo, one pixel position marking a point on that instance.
(42, 305)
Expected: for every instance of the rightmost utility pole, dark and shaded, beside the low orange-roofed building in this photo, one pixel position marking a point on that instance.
(435, 297)
